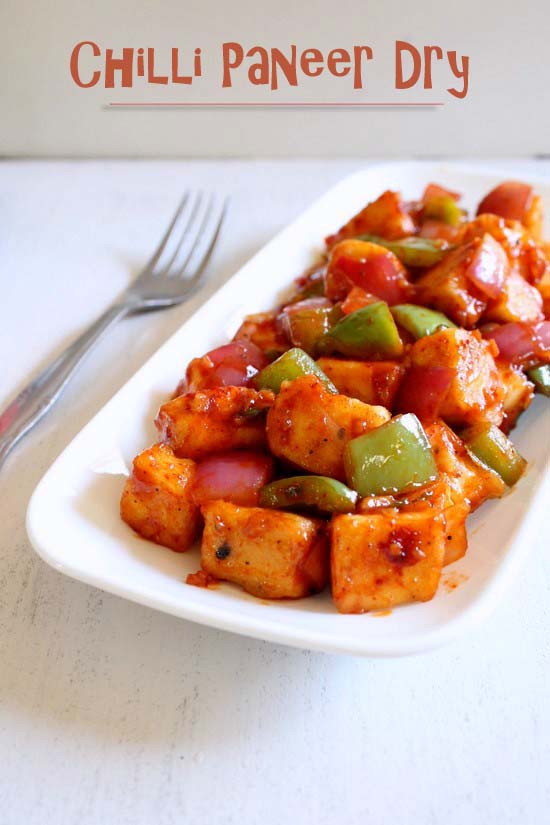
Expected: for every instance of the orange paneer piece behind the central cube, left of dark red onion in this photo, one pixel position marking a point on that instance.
(373, 382)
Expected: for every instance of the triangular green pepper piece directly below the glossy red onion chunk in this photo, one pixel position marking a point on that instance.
(370, 332)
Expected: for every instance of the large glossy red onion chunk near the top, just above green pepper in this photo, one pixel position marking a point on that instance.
(369, 266)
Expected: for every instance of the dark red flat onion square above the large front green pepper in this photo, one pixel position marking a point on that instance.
(423, 391)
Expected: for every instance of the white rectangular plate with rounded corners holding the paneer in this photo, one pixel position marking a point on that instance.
(73, 518)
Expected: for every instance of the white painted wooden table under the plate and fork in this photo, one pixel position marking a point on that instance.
(112, 713)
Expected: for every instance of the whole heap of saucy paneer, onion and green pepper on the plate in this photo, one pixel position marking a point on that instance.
(343, 439)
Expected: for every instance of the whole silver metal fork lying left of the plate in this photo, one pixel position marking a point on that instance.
(170, 277)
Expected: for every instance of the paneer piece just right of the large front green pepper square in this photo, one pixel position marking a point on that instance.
(470, 480)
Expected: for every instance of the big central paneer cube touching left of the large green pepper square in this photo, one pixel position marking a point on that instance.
(309, 426)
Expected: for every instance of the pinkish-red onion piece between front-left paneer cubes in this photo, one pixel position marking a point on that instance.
(237, 477)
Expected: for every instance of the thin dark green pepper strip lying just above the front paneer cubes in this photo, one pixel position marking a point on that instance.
(326, 495)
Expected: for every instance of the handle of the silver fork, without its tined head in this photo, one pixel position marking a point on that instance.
(34, 401)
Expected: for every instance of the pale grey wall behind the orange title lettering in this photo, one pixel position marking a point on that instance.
(506, 111)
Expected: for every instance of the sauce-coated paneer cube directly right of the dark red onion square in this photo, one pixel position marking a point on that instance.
(476, 392)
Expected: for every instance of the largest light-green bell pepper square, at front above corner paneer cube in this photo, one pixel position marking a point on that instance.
(394, 458)
